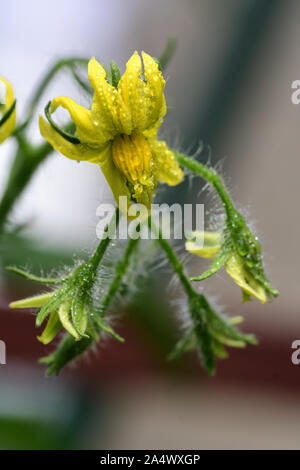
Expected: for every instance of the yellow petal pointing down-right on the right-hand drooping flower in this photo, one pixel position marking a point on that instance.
(241, 275)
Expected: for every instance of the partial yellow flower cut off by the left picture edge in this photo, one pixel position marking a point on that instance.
(7, 111)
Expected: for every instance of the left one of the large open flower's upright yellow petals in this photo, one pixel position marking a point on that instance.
(109, 113)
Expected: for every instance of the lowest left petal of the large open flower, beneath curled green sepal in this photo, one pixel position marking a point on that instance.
(74, 151)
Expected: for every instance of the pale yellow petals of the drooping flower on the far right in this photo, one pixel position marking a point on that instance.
(234, 264)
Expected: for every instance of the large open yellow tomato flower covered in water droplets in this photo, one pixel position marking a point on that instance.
(119, 132)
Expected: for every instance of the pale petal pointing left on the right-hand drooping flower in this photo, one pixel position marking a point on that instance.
(206, 244)
